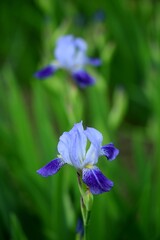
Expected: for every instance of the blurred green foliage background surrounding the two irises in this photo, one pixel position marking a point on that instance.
(124, 105)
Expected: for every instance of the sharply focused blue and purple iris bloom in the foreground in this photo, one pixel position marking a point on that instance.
(72, 148)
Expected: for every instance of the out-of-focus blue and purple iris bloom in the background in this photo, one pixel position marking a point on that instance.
(70, 54)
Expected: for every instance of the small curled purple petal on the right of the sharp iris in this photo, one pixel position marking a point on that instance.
(109, 151)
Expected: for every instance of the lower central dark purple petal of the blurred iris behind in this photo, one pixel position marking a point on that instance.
(83, 79)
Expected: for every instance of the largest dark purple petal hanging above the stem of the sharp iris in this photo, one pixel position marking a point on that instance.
(96, 181)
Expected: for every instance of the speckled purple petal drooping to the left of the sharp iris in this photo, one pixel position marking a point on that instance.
(51, 168)
